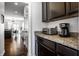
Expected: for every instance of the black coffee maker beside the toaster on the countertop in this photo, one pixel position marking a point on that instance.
(64, 30)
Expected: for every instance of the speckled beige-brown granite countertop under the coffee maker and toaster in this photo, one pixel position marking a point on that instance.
(67, 41)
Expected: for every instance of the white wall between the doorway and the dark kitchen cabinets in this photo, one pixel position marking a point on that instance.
(37, 24)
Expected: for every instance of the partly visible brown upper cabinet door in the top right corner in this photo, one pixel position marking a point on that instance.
(72, 7)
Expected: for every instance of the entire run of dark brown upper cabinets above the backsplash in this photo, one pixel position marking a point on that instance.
(52, 11)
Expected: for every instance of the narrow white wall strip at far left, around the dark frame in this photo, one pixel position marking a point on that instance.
(1, 30)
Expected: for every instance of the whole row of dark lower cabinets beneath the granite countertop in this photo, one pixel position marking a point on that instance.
(50, 48)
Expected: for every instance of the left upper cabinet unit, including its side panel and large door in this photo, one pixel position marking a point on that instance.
(52, 10)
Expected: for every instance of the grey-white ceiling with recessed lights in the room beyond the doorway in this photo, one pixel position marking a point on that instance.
(15, 9)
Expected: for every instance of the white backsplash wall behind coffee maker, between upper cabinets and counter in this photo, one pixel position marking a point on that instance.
(72, 21)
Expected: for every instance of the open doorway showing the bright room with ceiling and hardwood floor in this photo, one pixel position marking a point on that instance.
(16, 29)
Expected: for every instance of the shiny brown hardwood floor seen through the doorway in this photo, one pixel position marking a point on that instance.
(12, 48)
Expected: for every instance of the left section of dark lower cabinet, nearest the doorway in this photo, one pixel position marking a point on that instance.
(46, 47)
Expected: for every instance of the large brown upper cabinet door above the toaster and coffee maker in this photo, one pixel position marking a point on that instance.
(55, 9)
